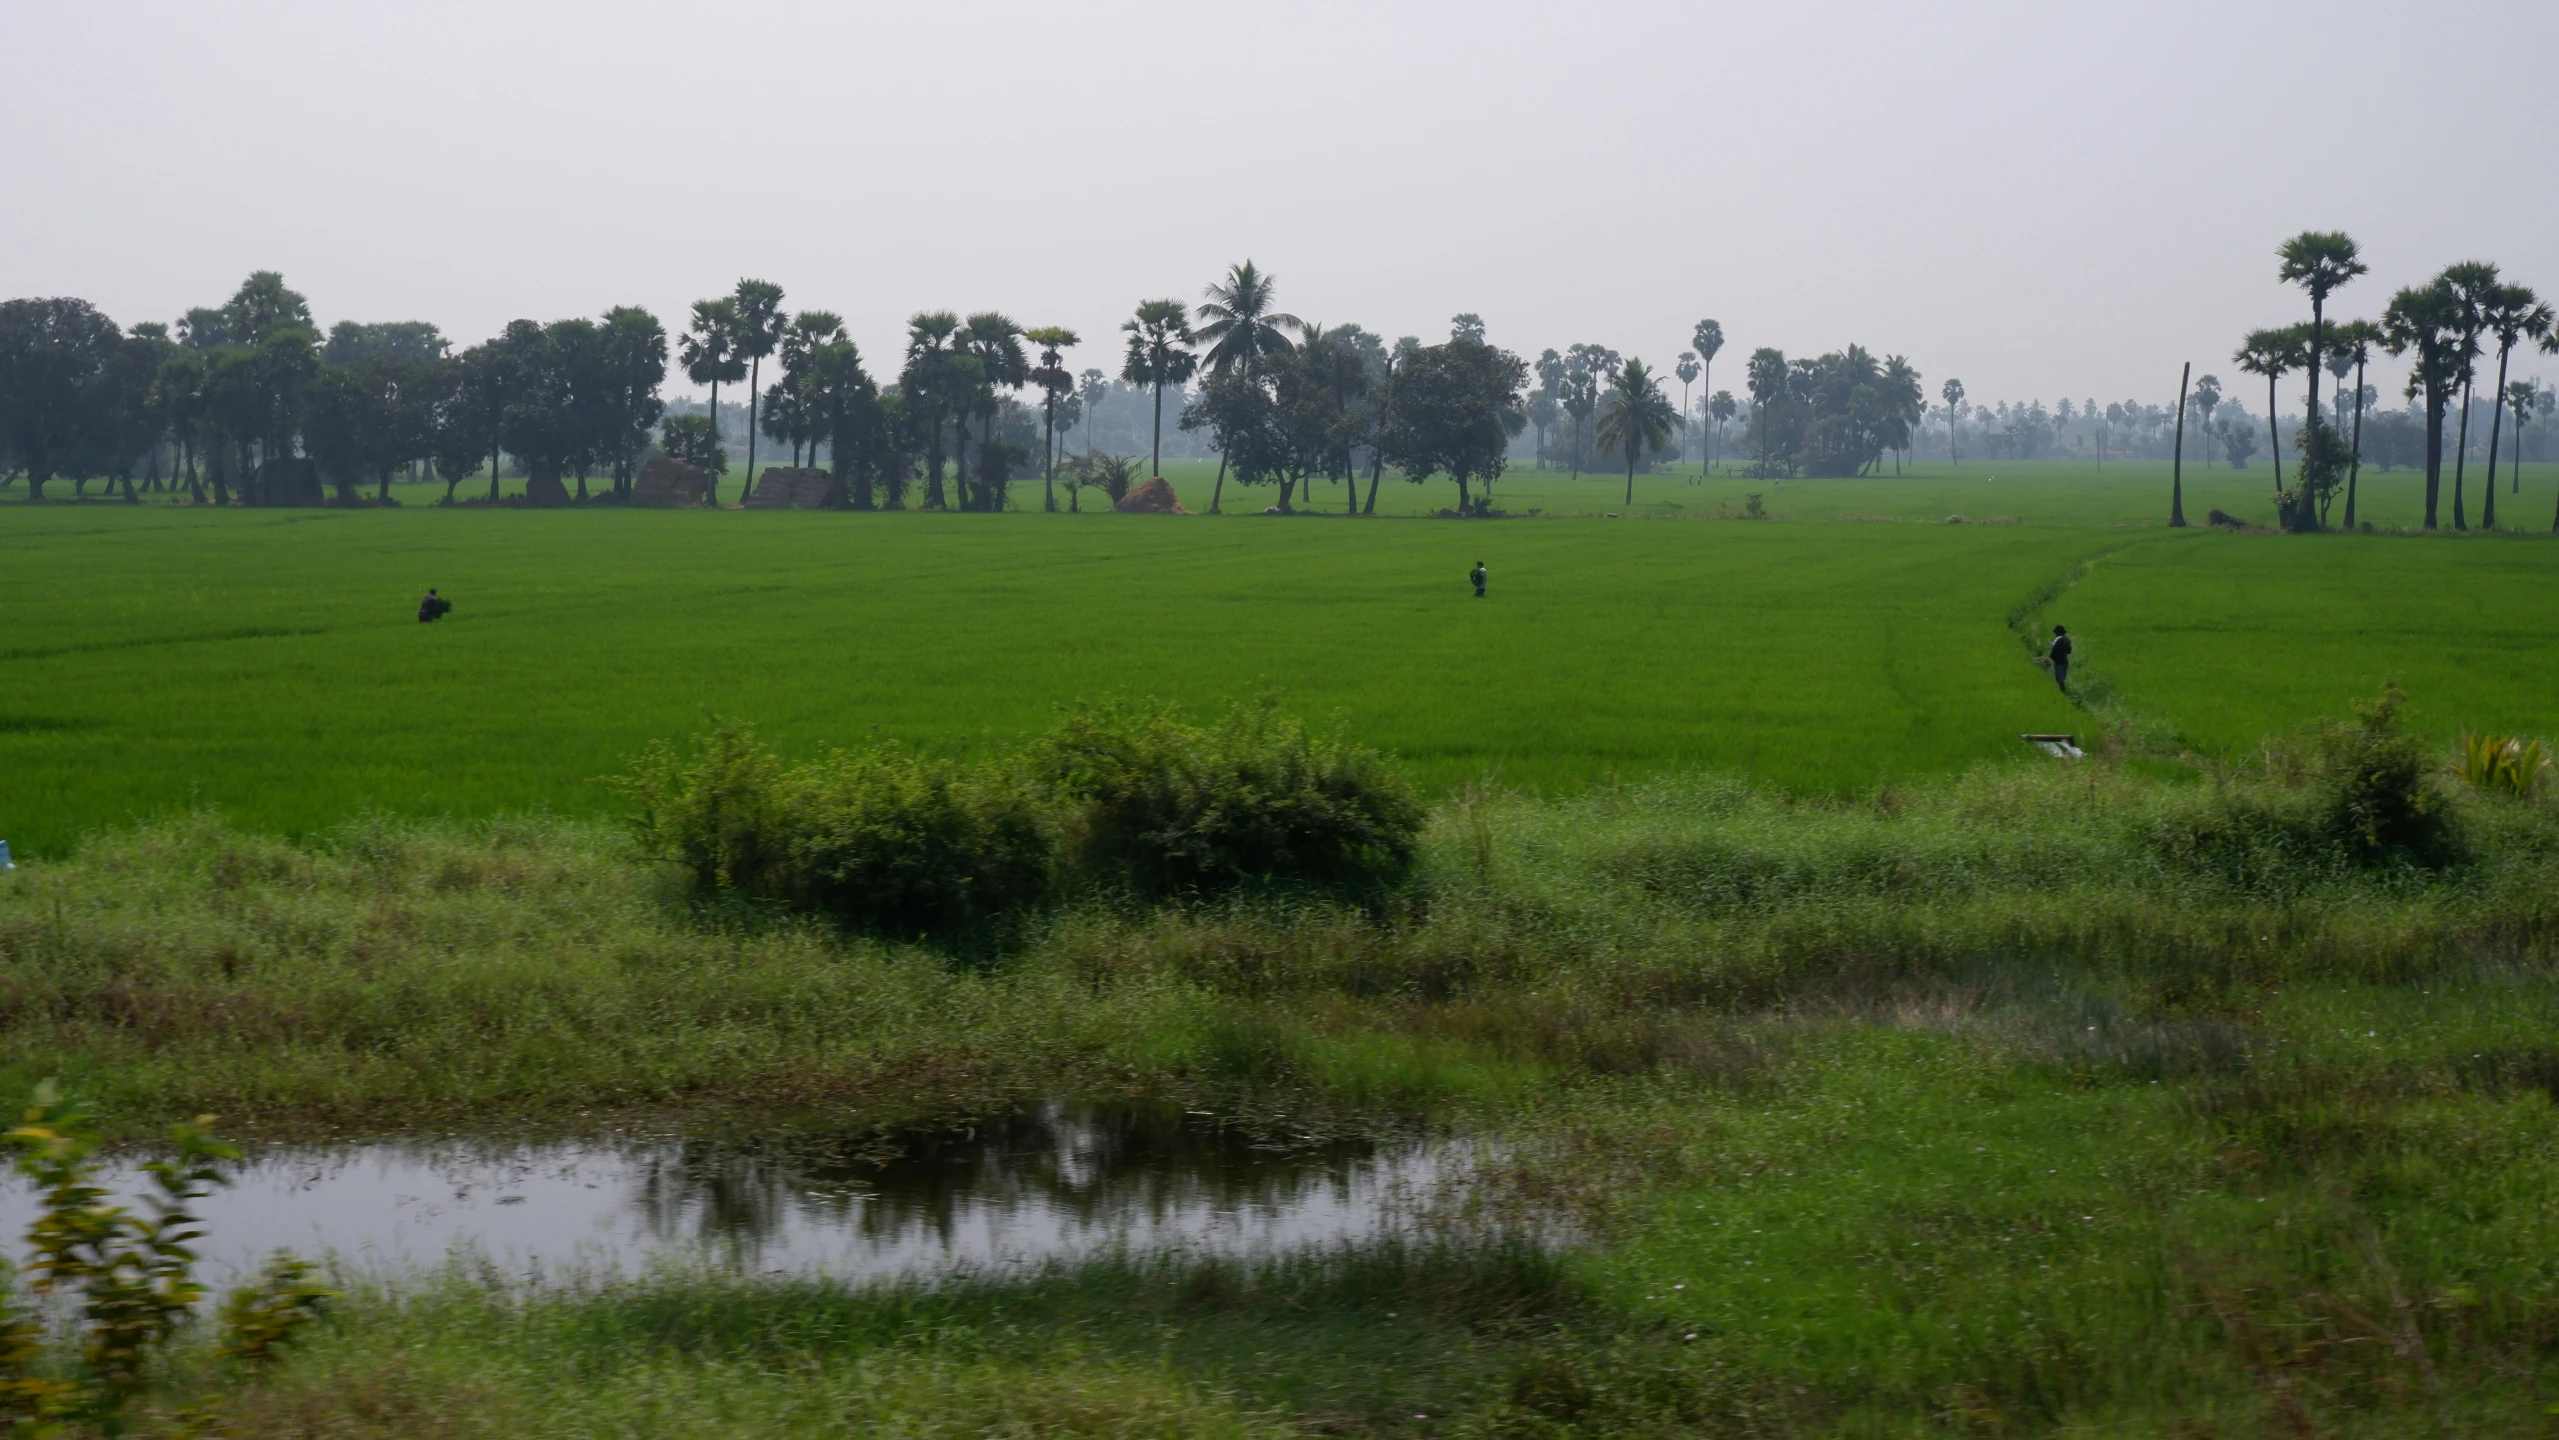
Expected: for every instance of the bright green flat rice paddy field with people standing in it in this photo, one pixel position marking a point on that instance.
(267, 664)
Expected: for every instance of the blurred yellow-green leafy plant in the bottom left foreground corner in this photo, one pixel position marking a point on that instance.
(132, 1275)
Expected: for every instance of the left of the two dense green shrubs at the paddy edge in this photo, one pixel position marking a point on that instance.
(884, 840)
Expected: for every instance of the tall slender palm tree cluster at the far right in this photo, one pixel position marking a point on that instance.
(2437, 326)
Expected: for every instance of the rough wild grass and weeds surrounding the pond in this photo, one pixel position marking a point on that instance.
(2010, 1104)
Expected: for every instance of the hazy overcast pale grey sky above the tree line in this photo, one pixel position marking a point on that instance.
(2046, 201)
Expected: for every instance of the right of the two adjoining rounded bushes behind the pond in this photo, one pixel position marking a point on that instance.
(1161, 807)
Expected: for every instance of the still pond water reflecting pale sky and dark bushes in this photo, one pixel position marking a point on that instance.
(1045, 1183)
